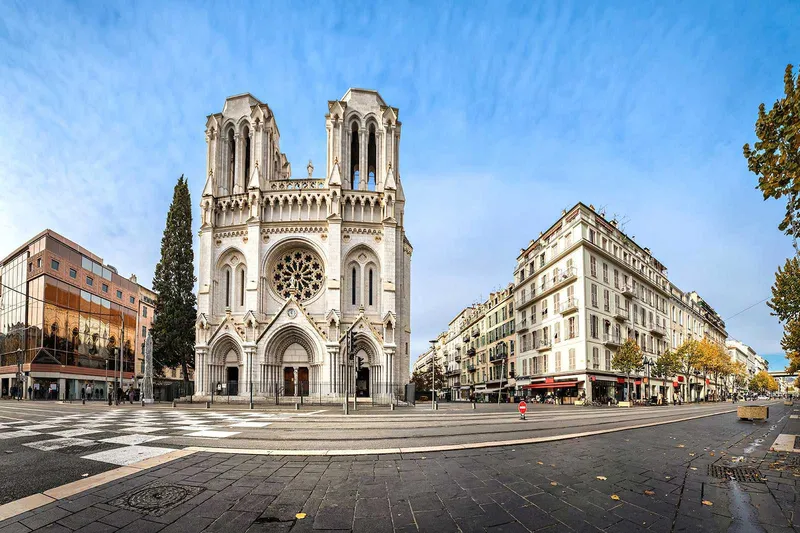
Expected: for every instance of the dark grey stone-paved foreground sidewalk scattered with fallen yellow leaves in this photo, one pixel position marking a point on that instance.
(651, 479)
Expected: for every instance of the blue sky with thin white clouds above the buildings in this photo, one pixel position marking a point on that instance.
(511, 112)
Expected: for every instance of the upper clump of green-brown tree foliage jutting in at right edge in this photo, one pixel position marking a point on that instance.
(775, 157)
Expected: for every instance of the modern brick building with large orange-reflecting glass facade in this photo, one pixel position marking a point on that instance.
(68, 322)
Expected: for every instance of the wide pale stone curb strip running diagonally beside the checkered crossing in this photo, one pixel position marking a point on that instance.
(33, 501)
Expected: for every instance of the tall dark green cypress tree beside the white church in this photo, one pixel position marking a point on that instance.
(173, 327)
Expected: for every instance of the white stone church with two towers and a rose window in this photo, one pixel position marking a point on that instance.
(288, 266)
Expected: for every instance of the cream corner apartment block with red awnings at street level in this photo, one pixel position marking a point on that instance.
(583, 287)
